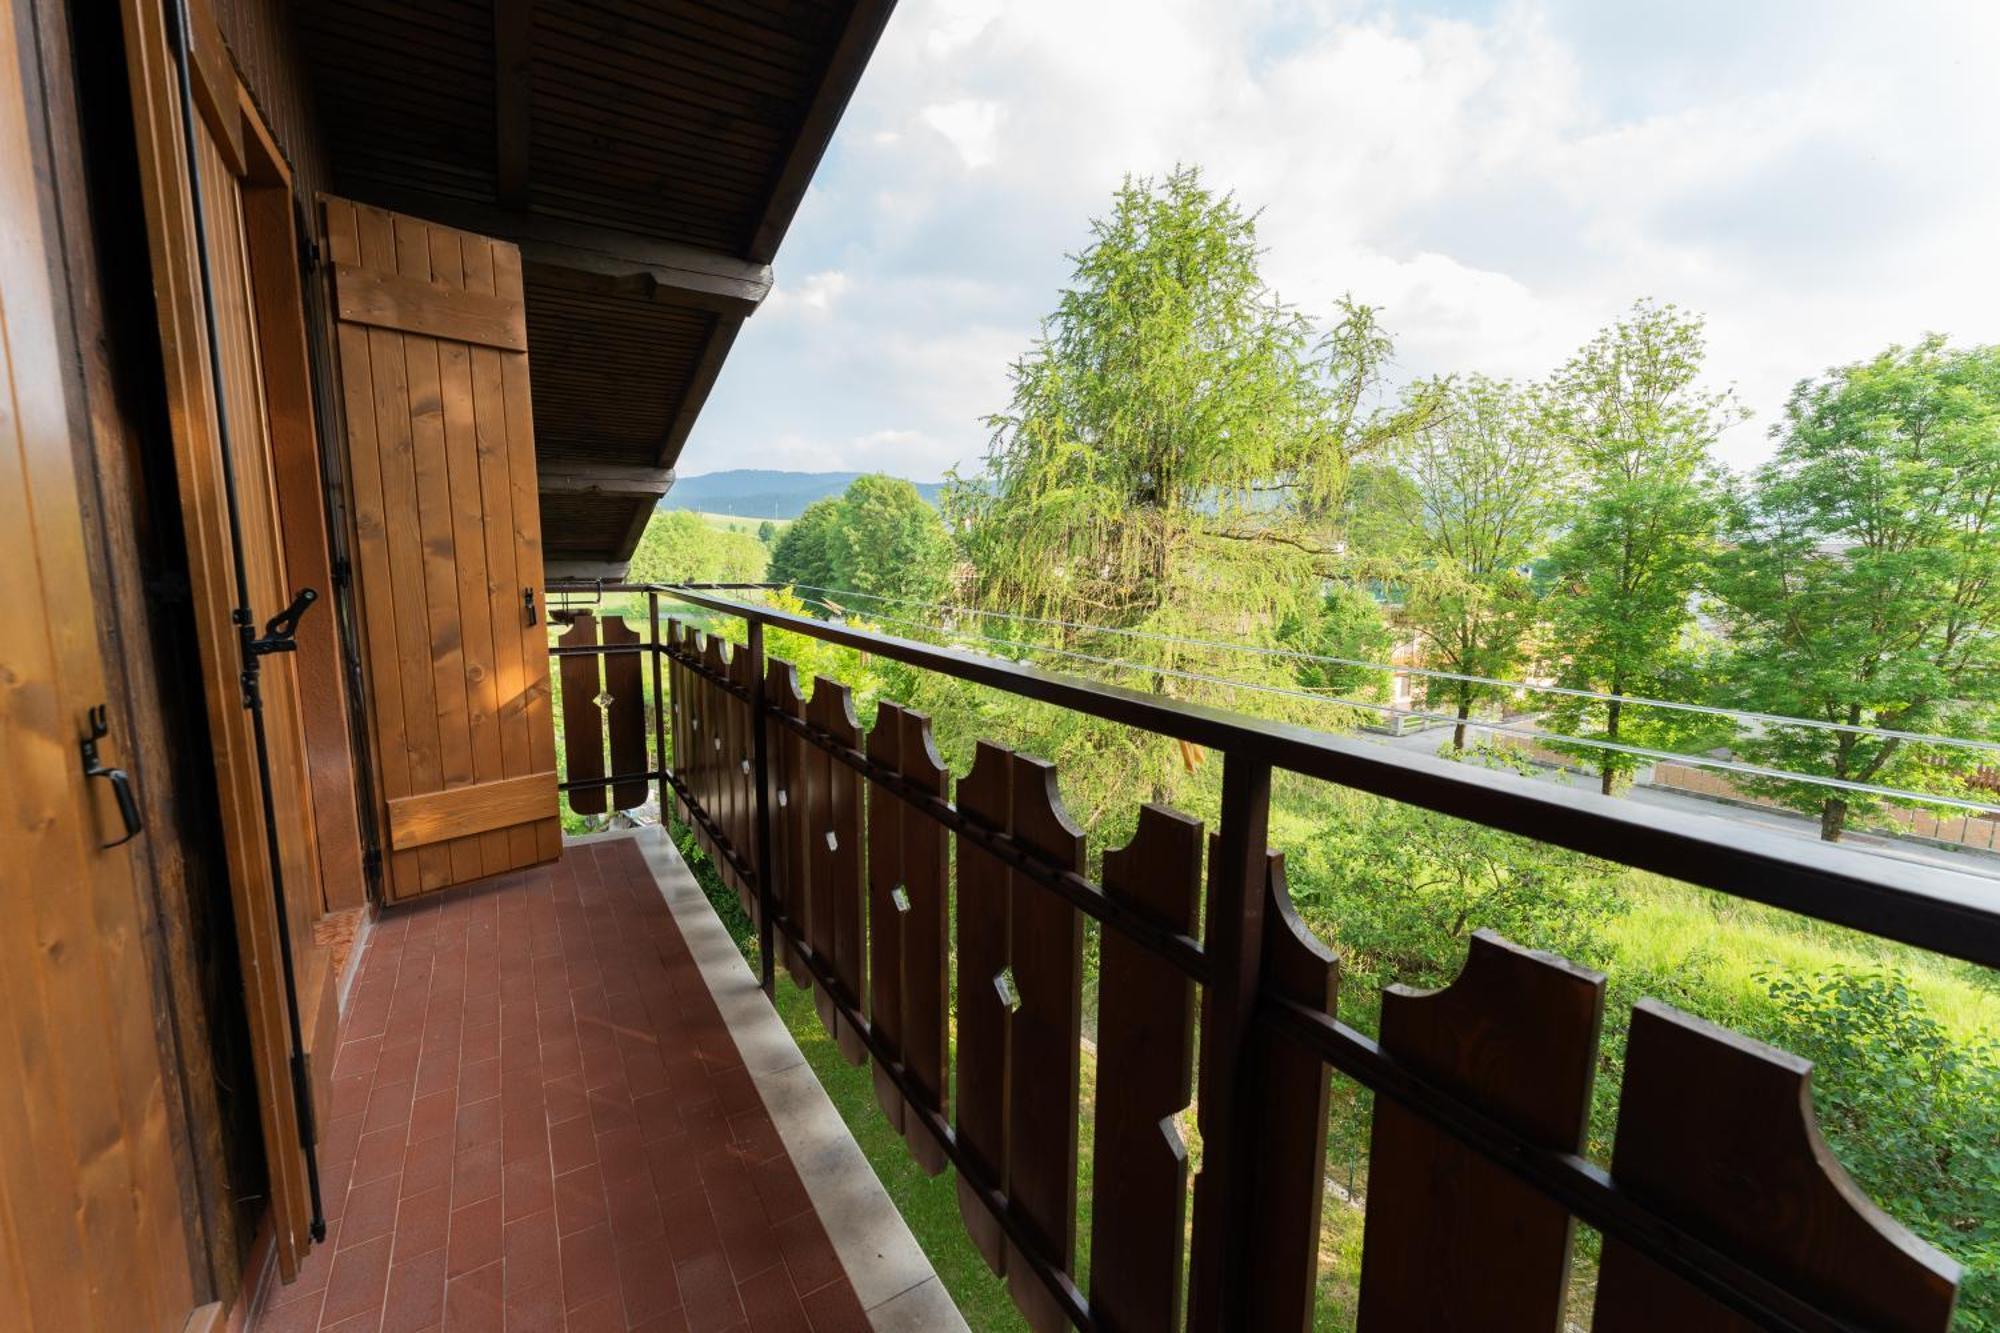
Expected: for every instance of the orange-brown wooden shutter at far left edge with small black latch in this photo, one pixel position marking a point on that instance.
(91, 1226)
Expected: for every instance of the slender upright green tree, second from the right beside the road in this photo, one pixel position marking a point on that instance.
(1639, 433)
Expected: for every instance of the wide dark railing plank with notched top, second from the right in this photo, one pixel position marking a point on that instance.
(1451, 1238)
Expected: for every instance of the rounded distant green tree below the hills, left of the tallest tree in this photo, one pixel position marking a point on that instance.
(879, 539)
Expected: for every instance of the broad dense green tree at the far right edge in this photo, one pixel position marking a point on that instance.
(1863, 577)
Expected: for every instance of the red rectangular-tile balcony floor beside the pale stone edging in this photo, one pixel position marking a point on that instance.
(543, 1124)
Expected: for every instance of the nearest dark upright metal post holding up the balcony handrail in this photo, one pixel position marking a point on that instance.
(1233, 938)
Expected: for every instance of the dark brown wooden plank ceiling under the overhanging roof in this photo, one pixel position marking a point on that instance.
(647, 155)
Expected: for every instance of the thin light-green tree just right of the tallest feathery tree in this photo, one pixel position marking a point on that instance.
(1487, 495)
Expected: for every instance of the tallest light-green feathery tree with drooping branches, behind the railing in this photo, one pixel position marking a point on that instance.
(1175, 455)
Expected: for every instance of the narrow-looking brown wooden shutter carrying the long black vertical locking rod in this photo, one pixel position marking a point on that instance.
(253, 818)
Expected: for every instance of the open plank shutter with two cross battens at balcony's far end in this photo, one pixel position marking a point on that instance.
(433, 343)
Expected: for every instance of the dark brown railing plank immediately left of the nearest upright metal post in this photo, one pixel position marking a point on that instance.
(1139, 1172)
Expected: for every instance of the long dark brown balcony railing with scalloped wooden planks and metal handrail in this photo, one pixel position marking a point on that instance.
(865, 864)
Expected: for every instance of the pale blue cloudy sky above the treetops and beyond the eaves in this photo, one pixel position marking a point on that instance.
(1819, 179)
